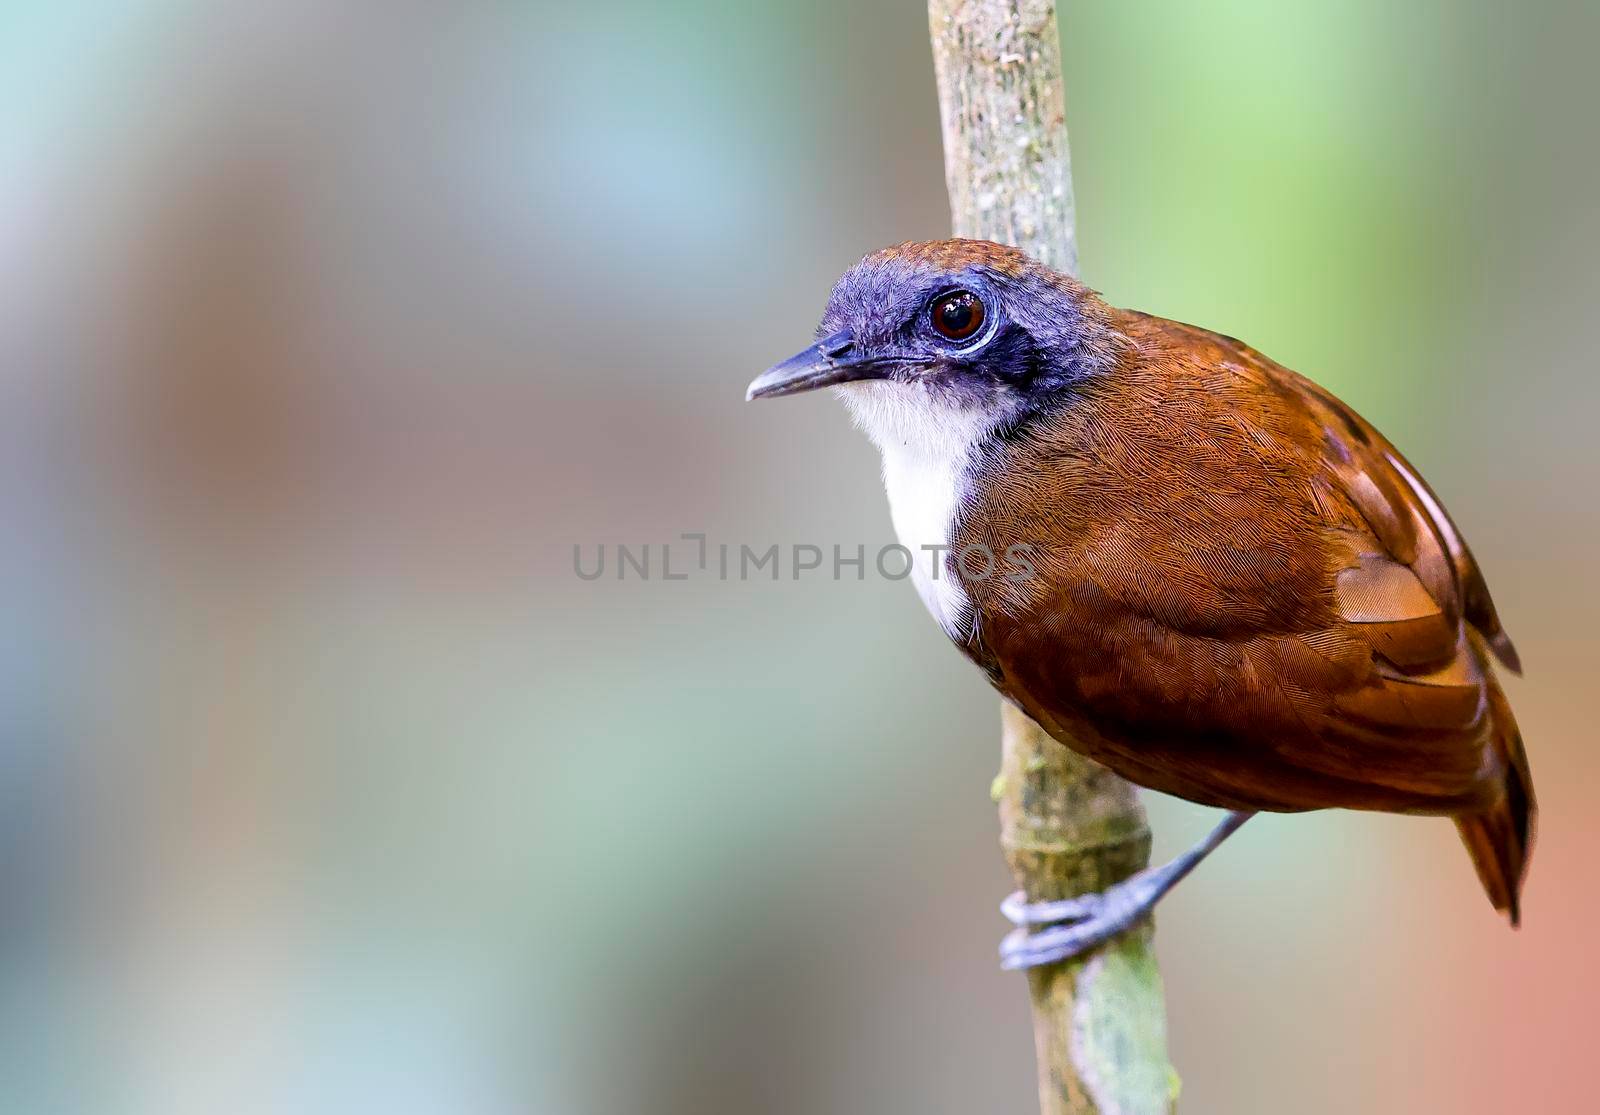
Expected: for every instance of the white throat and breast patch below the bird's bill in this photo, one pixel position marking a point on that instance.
(927, 447)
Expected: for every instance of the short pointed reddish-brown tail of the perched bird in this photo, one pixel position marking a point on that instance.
(1502, 837)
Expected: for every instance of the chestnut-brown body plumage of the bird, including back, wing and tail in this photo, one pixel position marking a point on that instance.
(1247, 597)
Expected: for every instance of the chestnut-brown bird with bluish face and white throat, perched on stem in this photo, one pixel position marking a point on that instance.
(1177, 556)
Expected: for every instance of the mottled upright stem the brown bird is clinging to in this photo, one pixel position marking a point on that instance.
(1068, 826)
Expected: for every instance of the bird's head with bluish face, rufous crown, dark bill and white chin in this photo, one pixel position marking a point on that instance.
(950, 334)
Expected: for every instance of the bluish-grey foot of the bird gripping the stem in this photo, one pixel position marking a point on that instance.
(1076, 925)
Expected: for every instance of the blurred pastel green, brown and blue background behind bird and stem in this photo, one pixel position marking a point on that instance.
(330, 330)
